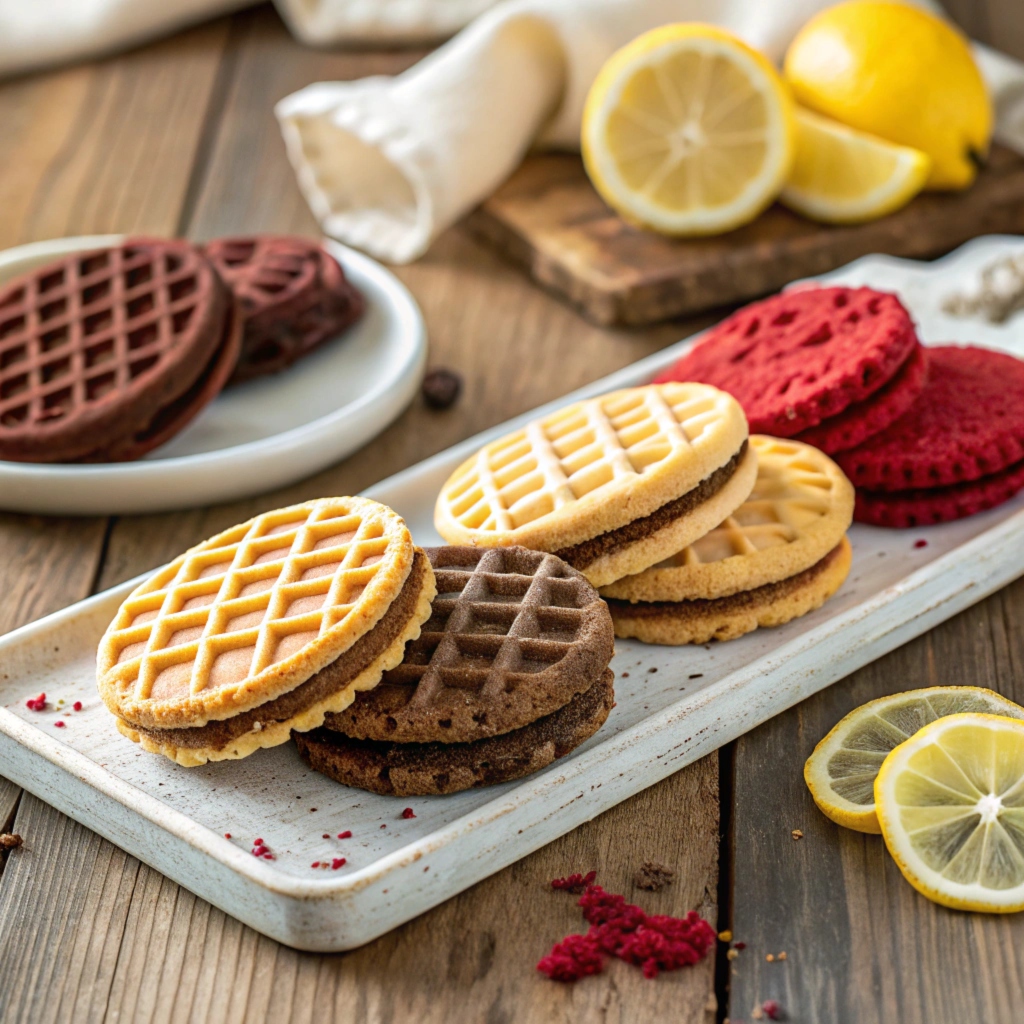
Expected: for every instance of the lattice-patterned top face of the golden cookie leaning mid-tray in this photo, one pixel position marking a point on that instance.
(586, 451)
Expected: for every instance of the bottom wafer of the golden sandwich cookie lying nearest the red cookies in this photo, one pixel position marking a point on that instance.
(672, 631)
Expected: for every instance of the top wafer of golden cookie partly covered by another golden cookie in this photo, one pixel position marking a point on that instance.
(799, 510)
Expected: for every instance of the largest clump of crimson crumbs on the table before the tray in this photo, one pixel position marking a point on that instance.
(653, 943)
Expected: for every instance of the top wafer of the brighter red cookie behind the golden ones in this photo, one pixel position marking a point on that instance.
(800, 358)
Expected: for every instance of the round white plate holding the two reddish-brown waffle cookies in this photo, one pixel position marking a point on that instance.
(257, 437)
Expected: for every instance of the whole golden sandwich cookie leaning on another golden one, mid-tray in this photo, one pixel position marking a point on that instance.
(593, 470)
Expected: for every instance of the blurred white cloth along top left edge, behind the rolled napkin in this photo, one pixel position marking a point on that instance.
(39, 33)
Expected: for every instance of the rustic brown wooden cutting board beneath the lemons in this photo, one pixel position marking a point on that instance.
(548, 219)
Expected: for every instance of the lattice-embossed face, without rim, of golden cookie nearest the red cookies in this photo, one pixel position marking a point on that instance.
(795, 489)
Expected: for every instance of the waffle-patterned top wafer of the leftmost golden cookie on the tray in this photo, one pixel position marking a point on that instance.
(253, 613)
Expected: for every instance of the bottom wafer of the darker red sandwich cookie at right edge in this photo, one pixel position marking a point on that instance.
(925, 508)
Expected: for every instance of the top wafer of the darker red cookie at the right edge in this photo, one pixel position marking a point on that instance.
(968, 423)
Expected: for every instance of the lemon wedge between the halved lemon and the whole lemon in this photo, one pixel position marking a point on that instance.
(843, 177)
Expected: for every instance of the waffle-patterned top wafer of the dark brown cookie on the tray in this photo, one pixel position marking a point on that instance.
(514, 635)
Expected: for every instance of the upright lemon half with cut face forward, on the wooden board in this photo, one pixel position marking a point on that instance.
(689, 132)
